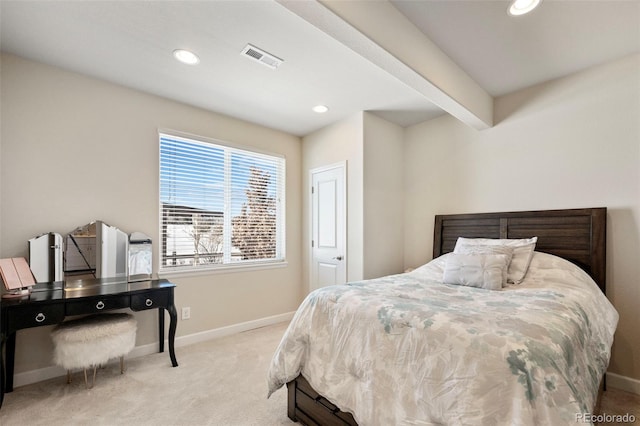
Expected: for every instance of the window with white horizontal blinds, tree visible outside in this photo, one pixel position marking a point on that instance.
(220, 205)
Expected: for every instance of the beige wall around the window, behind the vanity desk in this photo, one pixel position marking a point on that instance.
(75, 149)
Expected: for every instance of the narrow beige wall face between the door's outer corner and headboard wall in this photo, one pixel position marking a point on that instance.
(383, 197)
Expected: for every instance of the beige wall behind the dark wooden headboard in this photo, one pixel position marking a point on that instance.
(569, 143)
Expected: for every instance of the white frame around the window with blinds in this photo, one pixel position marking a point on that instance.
(280, 207)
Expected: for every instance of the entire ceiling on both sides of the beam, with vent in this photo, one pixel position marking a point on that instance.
(131, 43)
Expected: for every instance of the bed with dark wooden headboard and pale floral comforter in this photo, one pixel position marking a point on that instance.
(410, 349)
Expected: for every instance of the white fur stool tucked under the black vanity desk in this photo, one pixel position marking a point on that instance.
(92, 341)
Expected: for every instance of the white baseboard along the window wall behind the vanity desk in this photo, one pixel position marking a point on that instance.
(38, 375)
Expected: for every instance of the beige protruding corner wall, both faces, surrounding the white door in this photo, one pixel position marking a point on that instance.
(373, 150)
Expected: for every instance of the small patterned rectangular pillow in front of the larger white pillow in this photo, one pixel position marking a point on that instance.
(475, 270)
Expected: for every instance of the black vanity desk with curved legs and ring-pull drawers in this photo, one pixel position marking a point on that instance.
(50, 303)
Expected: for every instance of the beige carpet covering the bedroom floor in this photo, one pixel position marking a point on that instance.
(219, 382)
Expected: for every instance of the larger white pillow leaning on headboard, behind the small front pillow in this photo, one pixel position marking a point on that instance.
(522, 253)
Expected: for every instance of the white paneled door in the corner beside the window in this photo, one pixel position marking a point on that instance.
(328, 222)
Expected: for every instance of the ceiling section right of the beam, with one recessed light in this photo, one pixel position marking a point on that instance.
(504, 54)
